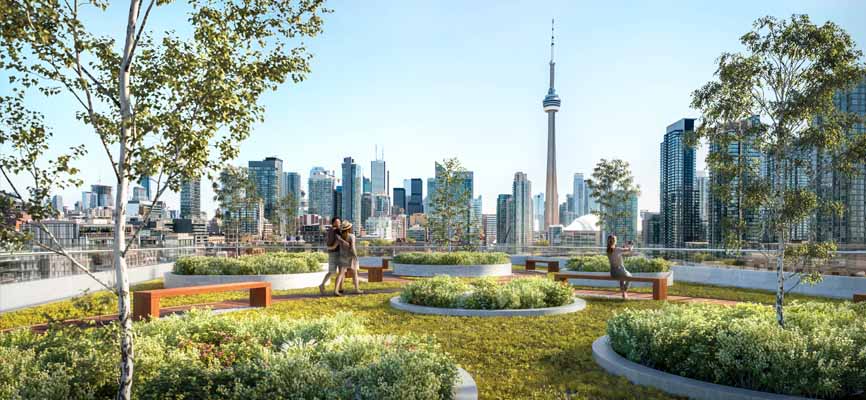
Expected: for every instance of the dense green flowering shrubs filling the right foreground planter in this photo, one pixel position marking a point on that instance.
(820, 353)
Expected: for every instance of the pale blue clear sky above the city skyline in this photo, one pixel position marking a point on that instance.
(426, 81)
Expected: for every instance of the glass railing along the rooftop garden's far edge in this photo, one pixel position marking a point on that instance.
(28, 266)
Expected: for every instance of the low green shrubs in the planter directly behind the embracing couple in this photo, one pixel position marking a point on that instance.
(260, 264)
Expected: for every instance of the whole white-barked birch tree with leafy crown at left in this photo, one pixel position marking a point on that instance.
(163, 105)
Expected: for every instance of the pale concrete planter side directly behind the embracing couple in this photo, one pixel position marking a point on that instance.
(278, 281)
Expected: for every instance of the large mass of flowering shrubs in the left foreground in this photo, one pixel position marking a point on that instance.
(252, 356)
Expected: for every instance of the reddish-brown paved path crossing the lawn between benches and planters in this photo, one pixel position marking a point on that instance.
(387, 277)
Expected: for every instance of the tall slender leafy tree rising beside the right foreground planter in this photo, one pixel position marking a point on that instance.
(786, 78)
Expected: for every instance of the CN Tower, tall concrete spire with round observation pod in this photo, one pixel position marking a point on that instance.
(551, 106)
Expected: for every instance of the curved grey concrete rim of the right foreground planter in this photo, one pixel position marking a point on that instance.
(613, 363)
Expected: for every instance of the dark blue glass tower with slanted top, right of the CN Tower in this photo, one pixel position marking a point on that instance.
(679, 205)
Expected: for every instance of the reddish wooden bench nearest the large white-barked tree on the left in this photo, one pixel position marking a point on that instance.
(146, 302)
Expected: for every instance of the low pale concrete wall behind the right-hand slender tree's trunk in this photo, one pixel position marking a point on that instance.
(840, 287)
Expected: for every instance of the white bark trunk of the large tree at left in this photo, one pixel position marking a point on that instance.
(124, 391)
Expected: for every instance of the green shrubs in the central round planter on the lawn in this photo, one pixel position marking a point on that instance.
(486, 293)
